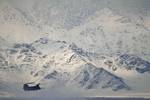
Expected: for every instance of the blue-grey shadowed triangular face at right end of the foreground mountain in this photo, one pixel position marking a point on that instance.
(92, 77)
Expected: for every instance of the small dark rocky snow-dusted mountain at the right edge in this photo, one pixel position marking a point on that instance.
(128, 62)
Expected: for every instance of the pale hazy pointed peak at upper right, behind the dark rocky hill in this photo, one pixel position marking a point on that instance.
(108, 32)
